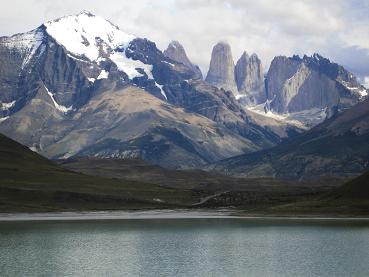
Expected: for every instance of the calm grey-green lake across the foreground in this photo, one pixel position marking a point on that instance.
(185, 247)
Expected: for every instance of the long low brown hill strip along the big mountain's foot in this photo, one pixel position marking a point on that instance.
(142, 171)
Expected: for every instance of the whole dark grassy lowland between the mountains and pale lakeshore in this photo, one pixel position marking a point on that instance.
(30, 183)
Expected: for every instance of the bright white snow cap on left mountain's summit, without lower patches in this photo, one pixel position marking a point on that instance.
(86, 35)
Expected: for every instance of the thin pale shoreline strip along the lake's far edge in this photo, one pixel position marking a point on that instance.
(164, 214)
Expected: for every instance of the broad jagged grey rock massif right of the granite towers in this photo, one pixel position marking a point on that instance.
(297, 84)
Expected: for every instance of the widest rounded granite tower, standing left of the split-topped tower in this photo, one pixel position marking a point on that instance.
(221, 68)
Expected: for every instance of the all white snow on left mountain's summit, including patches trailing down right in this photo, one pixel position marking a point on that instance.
(96, 40)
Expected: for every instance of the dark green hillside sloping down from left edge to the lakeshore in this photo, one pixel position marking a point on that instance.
(29, 182)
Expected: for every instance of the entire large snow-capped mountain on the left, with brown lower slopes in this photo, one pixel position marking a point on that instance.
(79, 85)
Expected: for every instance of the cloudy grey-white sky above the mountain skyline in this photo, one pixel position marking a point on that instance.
(336, 29)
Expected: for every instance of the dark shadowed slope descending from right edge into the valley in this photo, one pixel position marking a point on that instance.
(337, 147)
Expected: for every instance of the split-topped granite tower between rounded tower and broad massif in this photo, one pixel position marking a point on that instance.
(249, 76)
